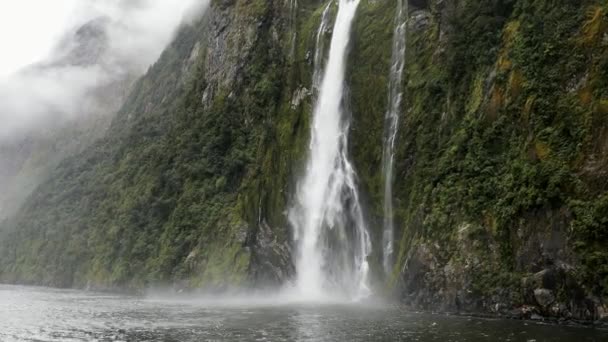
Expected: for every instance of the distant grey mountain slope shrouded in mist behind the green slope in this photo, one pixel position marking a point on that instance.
(29, 151)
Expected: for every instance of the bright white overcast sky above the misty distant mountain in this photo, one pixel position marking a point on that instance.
(29, 29)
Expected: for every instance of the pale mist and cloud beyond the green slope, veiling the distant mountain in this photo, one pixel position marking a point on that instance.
(59, 105)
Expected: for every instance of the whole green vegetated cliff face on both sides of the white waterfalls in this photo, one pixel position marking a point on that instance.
(500, 187)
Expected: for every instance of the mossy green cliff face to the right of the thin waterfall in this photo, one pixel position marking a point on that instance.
(502, 189)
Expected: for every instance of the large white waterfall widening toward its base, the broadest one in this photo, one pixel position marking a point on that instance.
(329, 230)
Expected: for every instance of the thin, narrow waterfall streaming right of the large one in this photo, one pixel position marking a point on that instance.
(395, 91)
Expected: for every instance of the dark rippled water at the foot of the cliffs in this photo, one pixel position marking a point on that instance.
(40, 314)
